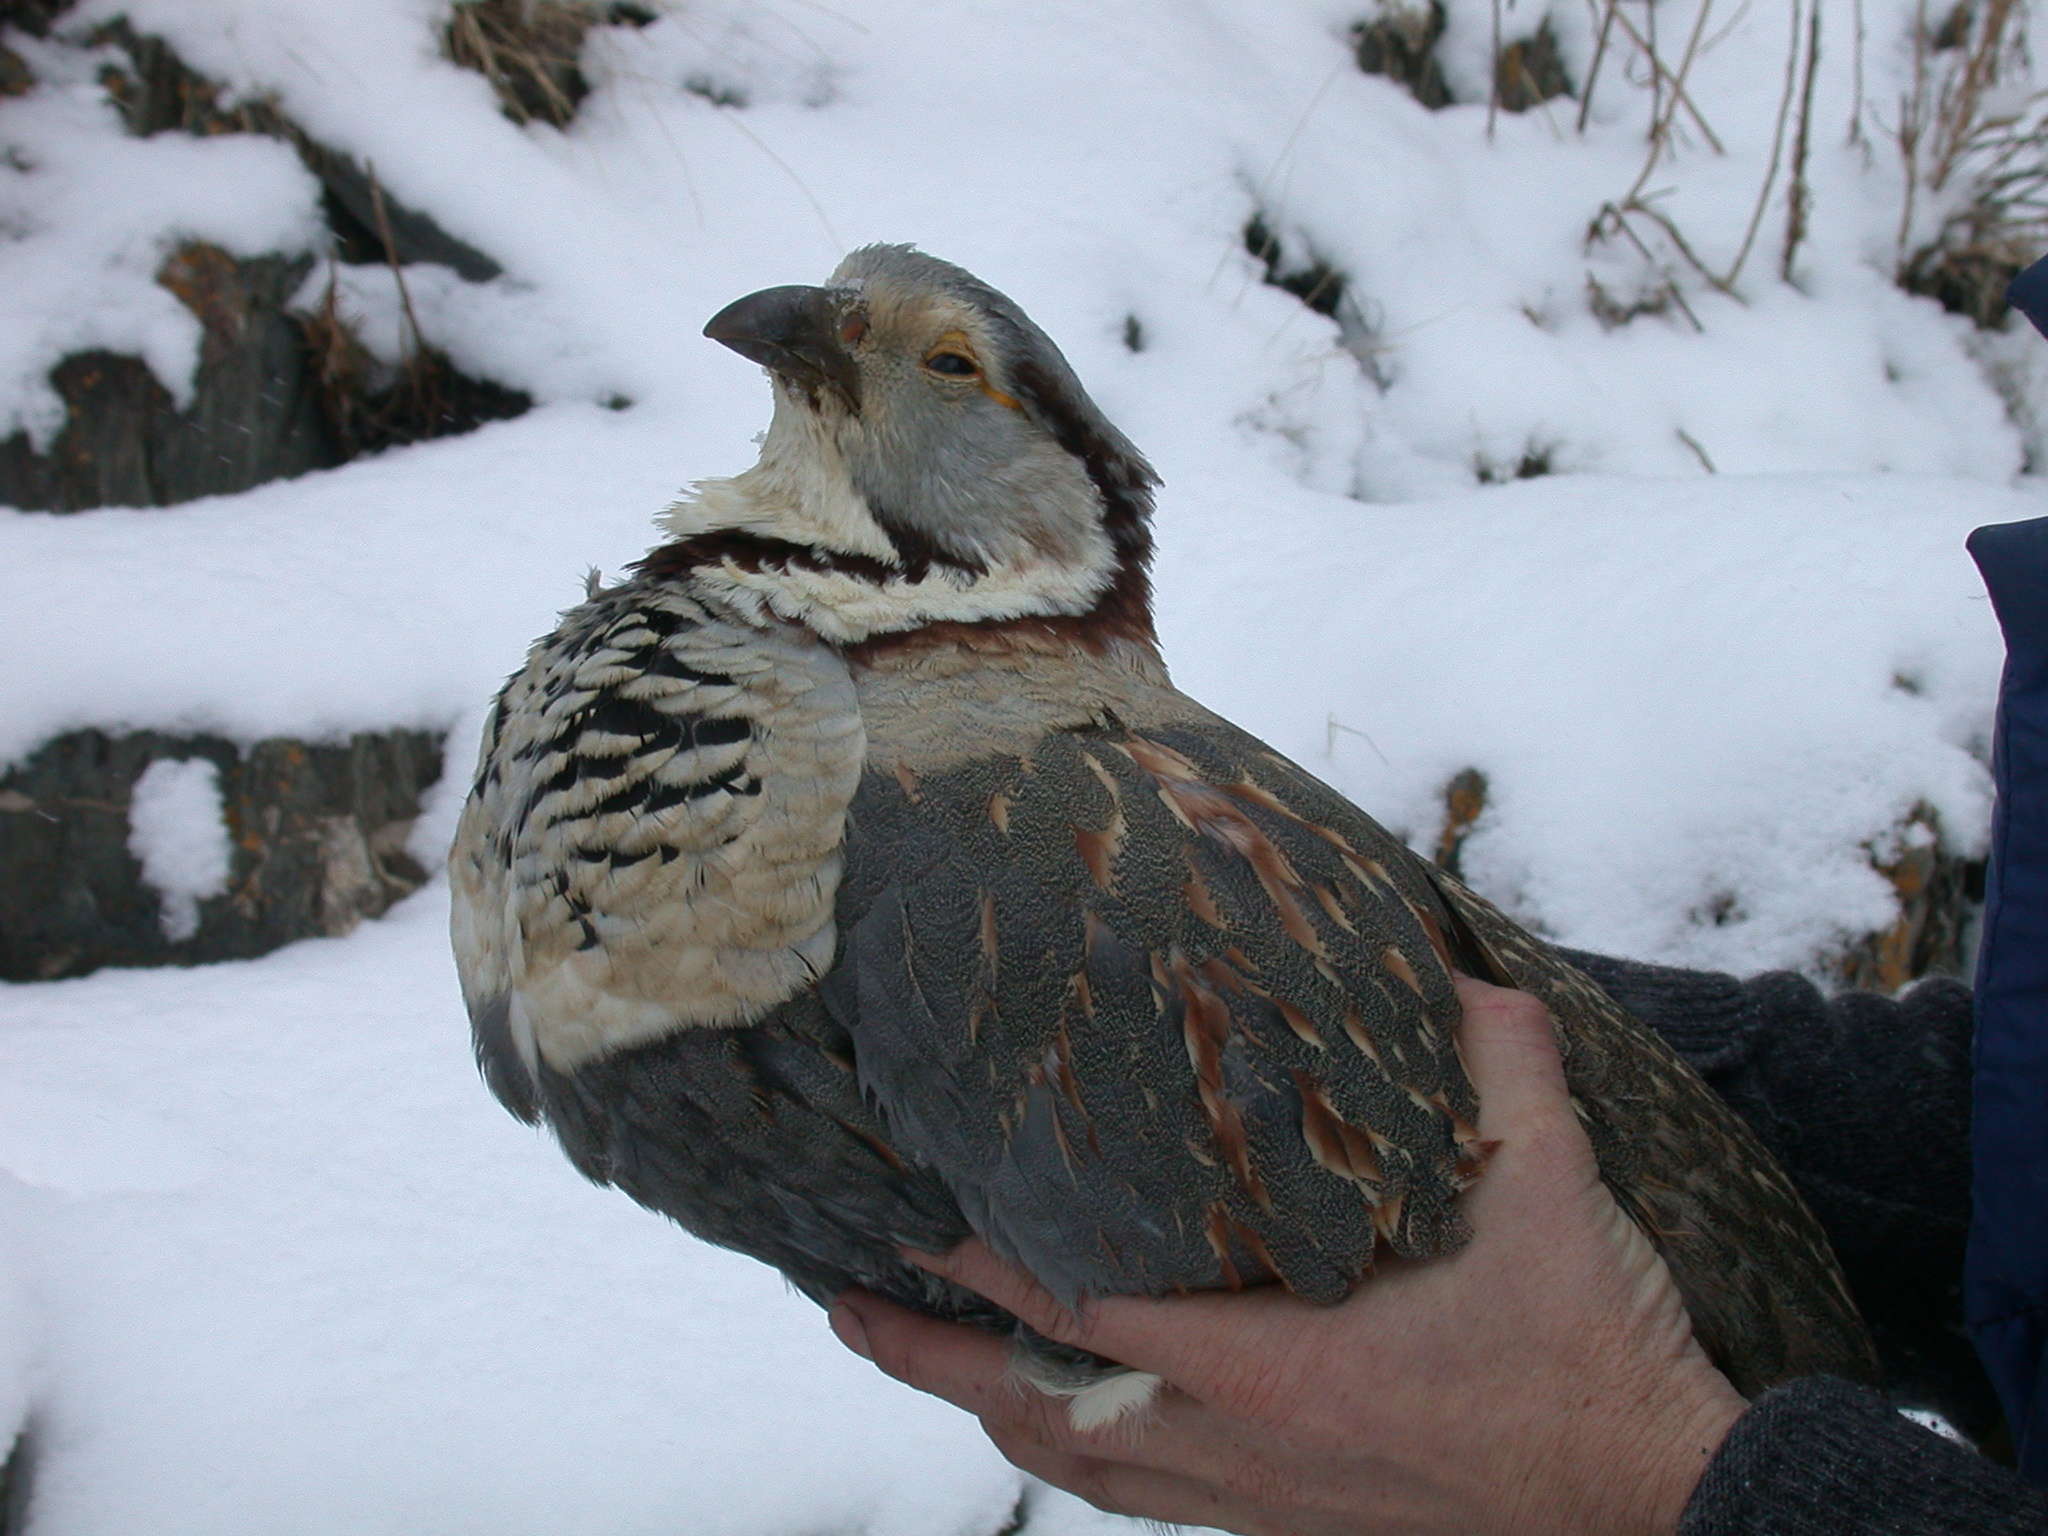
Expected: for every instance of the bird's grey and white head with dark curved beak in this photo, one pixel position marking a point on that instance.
(929, 433)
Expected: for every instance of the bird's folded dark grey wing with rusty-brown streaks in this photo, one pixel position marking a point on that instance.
(1162, 1009)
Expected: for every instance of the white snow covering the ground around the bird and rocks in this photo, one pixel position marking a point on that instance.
(271, 1258)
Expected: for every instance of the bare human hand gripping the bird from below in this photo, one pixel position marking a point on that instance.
(1543, 1379)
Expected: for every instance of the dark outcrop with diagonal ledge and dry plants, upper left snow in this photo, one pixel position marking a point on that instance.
(278, 392)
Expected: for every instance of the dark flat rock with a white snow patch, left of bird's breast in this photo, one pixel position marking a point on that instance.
(318, 835)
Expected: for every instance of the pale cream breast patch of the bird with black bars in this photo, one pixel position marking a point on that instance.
(654, 835)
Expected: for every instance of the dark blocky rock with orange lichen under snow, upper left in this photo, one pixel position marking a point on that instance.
(255, 413)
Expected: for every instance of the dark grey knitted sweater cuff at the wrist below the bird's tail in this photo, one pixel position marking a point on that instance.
(1828, 1459)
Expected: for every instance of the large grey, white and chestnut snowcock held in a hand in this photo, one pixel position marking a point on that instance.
(851, 878)
